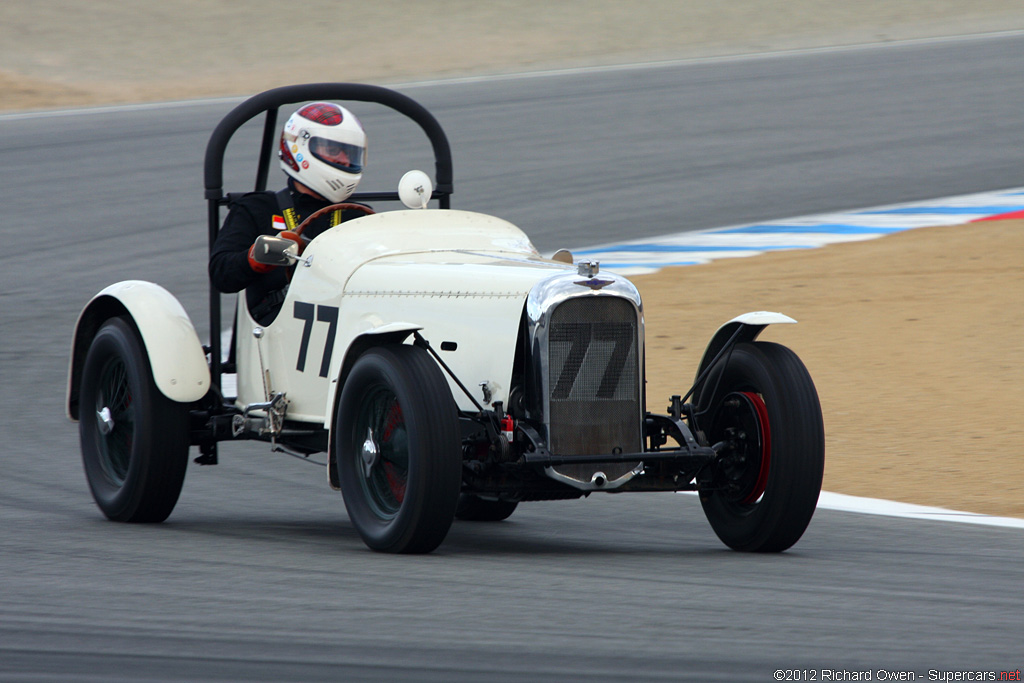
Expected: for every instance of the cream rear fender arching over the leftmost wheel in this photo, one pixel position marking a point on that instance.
(177, 358)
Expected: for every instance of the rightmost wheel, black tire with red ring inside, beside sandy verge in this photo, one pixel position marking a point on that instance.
(767, 479)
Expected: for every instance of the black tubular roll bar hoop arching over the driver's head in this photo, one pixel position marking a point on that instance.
(270, 103)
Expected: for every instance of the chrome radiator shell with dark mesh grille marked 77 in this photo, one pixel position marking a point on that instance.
(585, 386)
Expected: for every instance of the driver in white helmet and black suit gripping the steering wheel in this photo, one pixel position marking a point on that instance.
(323, 151)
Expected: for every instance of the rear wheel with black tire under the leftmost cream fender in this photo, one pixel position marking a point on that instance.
(135, 440)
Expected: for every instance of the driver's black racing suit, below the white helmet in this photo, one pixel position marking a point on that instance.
(249, 218)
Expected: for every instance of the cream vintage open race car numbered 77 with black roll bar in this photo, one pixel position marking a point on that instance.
(446, 368)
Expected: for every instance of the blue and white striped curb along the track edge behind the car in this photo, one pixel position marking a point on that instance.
(652, 254)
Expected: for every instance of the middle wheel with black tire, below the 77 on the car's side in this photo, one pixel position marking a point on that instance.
(399, 450)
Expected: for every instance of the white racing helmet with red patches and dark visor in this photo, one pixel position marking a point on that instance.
(324, 147)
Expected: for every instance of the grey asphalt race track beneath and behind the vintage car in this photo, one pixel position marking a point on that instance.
(260, 576)
